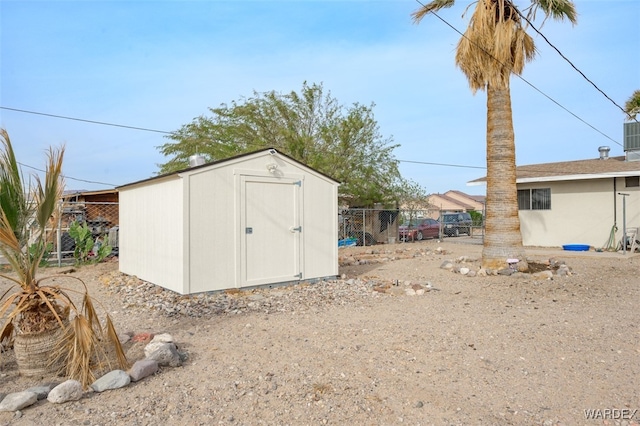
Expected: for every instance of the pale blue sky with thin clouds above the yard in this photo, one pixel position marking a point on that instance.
(159, 64)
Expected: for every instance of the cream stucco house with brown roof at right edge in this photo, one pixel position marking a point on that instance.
(579, 202)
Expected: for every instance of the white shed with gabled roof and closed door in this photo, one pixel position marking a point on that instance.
(256, 219)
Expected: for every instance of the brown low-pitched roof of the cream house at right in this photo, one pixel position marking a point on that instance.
(574, 170)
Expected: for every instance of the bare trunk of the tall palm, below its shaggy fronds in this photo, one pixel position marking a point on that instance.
(503, 239)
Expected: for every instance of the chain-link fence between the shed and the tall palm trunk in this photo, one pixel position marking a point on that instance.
(367, 227)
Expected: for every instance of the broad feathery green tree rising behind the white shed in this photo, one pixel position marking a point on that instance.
(311, 126)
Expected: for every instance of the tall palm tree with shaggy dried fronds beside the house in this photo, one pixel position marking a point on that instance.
(494, 46)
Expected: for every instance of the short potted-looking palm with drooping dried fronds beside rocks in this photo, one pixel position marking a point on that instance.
(69, 338)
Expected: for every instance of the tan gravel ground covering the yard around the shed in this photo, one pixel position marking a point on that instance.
(397, 340)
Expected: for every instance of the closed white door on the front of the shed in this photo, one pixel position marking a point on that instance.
(270, 230)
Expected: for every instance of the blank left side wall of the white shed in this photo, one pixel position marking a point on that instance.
(151, 234)
